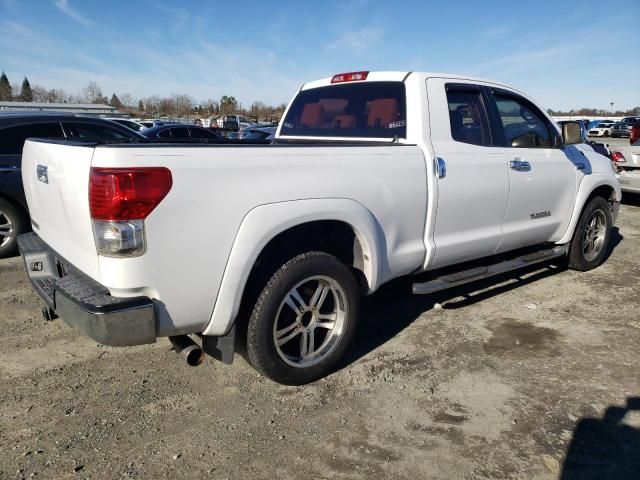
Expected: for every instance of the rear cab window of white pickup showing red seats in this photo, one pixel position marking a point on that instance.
(368, 109)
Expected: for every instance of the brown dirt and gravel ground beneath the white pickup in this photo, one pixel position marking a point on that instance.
(535, 376)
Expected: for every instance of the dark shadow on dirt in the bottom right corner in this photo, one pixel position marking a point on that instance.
(605, 448)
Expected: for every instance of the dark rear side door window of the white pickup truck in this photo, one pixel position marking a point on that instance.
(468, 116)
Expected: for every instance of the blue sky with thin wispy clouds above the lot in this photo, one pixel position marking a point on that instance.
(567, 54)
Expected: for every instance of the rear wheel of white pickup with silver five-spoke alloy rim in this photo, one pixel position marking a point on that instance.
(272, 312)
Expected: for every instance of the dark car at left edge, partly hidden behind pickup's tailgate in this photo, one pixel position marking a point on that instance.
(14, 130)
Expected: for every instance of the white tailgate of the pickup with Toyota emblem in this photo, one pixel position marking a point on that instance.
(56, 185)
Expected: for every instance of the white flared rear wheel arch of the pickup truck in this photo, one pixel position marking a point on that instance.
(266, 228)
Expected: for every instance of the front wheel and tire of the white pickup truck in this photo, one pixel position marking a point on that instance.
(581, 256)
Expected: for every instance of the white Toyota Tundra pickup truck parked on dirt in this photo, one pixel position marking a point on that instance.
(373, 175)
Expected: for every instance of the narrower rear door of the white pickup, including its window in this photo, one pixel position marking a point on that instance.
(472, 178)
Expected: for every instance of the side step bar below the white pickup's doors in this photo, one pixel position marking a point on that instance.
(478, 273)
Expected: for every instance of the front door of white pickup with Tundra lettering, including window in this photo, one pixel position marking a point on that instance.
(543, 177)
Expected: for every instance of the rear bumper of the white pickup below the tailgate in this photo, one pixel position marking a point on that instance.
(82, 302)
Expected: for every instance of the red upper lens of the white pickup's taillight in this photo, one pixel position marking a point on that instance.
(127, 193)
